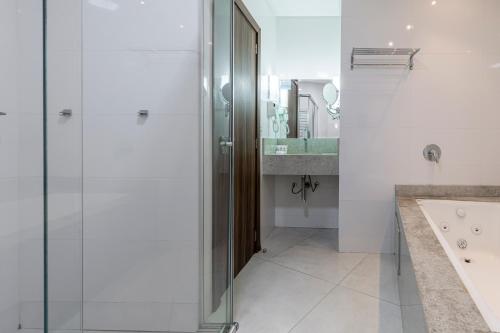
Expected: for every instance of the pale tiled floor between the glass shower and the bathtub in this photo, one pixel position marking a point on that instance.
(303, 284)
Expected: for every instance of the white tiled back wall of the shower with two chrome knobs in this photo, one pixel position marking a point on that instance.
(126, 186)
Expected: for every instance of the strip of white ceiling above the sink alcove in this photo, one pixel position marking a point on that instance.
(305, 7)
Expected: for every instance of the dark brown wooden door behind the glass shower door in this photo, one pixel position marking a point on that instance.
(245, 136)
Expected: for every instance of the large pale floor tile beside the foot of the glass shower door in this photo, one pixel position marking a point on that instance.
(271, 298)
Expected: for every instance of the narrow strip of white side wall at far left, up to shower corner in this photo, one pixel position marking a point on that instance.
(9, 228)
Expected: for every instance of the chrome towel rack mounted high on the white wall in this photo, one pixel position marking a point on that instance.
(383, 57)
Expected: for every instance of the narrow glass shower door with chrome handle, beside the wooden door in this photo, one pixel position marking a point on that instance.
(218, 167)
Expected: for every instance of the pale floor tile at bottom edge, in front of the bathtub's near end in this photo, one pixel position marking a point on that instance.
(345, 310)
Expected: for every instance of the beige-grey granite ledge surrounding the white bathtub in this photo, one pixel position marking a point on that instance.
(447, 305)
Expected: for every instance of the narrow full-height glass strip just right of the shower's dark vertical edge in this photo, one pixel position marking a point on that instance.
(63, 128)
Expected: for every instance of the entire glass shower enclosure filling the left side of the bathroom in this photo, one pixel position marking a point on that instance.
(100, 226)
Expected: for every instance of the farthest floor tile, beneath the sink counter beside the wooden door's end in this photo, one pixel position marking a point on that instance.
(281, 239)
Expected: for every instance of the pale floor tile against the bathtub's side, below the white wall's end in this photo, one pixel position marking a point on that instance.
(376, 276)
